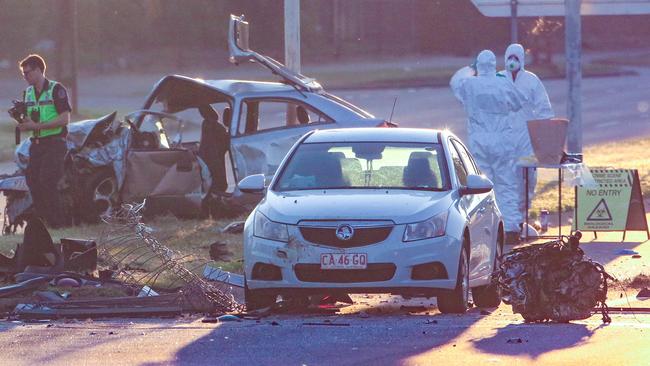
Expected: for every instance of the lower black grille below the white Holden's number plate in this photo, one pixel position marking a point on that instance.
(375, 272)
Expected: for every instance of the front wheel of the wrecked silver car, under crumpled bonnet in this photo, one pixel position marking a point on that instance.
(100, 194)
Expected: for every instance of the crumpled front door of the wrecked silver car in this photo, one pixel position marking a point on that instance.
(169, 178)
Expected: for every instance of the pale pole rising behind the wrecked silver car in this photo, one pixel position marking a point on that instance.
(292, 47)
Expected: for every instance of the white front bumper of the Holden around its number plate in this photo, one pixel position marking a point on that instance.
(421, 267)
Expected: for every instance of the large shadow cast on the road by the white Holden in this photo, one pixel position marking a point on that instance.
(387, 333)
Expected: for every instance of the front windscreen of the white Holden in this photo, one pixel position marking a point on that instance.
(354, 165)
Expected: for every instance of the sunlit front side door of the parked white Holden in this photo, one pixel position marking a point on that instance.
(483, 224)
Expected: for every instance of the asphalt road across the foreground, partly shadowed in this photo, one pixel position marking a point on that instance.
(391, 337)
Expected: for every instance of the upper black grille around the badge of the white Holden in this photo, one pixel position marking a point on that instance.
(361, 237)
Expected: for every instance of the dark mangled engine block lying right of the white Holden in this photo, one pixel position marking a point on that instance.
(553, 282)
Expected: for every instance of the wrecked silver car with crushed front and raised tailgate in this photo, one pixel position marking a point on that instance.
(191, 143)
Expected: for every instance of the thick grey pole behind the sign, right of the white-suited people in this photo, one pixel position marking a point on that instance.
(573, 52)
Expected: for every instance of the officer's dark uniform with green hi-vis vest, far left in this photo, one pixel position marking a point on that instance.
(47, 151)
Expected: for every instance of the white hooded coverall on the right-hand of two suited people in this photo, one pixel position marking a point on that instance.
(538, 107)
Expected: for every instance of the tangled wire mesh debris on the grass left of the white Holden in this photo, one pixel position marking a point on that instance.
(137, 257)
